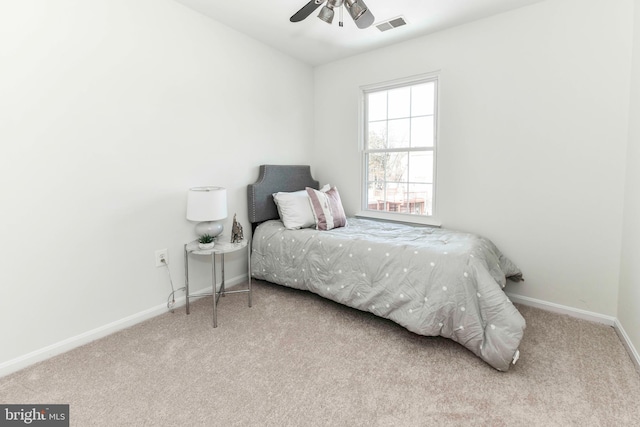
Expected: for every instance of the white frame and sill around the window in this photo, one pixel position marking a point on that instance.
(363, 131)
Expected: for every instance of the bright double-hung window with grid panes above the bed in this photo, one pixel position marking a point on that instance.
(399, 150)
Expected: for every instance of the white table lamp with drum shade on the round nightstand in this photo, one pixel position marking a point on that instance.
(208, 205)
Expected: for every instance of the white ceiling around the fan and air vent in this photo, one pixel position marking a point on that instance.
(315, 42)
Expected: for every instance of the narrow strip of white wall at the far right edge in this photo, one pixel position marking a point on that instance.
(629, 297)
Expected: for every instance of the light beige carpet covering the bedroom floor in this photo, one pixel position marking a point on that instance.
(295, 359)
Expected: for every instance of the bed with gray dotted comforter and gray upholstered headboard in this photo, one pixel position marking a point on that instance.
(432, 281)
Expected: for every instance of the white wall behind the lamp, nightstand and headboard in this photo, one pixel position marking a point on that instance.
(109, 111)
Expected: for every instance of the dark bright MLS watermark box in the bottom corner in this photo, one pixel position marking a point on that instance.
(34, 415)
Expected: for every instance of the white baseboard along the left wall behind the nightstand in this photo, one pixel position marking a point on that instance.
(63, 346)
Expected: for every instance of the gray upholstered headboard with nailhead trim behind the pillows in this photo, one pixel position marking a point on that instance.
(274, 178)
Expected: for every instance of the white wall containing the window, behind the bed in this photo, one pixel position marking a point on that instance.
(533, 131)
